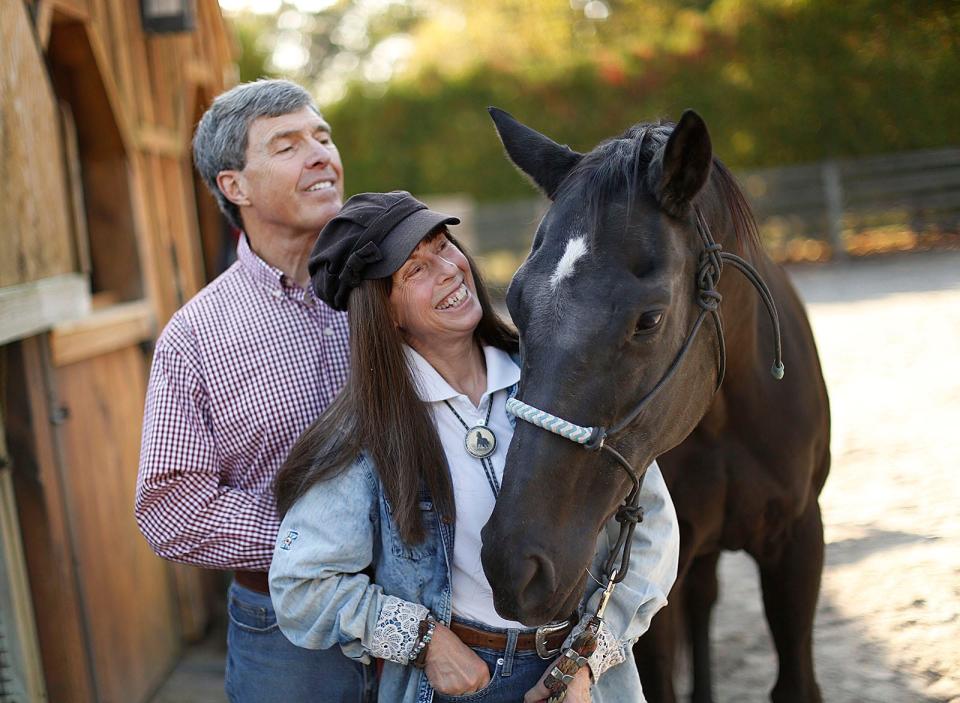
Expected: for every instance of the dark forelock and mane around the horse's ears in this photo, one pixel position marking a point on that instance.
(620, 164)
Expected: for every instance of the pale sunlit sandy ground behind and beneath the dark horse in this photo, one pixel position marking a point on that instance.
(888, 623)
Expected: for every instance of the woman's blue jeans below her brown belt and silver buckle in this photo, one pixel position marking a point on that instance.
(512, 673)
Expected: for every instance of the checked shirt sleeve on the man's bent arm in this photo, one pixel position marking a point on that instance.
(181, 506)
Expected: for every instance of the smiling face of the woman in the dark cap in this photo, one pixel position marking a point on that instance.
(433, 298)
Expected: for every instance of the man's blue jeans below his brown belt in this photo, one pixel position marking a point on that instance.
(264, 667)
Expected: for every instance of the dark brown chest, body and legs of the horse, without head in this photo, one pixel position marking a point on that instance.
(748, 477)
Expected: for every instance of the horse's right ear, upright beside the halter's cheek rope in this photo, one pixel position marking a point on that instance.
(682, 166)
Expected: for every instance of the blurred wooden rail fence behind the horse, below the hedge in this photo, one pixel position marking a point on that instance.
(821, 206)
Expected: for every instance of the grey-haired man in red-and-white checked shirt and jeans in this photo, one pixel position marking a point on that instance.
(240, 371)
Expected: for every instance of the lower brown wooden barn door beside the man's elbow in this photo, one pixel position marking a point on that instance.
(78, 444)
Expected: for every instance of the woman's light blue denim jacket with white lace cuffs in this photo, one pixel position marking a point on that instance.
(340, 528)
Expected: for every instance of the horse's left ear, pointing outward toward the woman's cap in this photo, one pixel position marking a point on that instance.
(542, 159)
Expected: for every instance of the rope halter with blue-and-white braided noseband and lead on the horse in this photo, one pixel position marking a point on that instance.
(710, 266)
